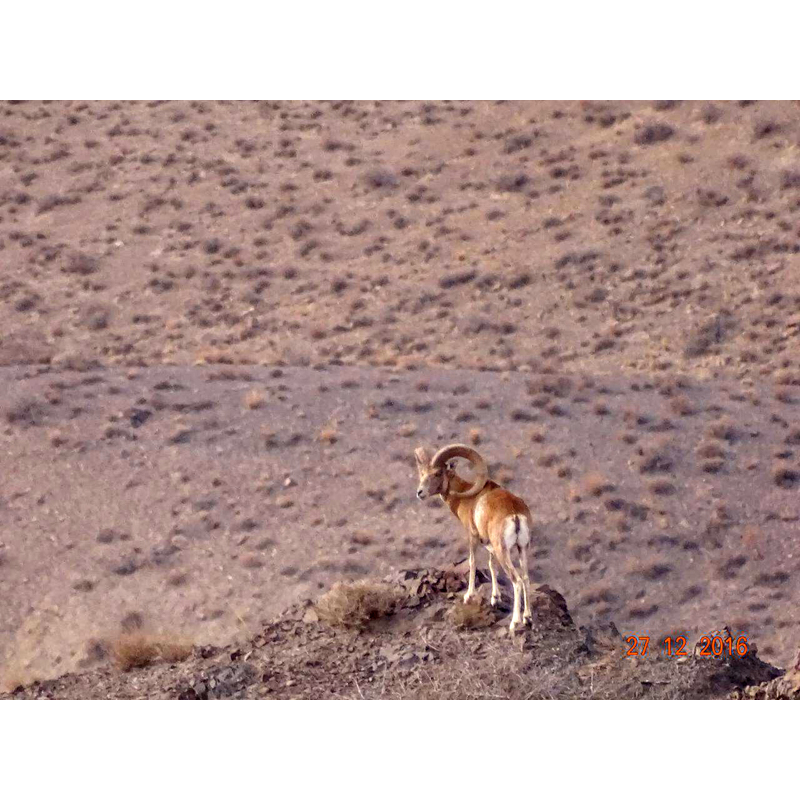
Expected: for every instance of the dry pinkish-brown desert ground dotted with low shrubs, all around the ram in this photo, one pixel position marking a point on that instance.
(225, 326)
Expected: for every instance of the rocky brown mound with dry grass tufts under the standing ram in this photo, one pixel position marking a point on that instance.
(410, 636)
